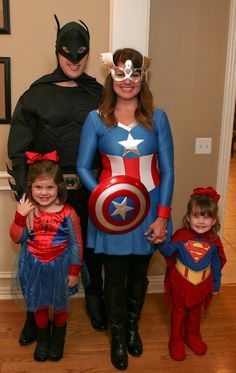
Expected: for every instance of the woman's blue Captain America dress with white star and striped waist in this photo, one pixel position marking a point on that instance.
(135, 151)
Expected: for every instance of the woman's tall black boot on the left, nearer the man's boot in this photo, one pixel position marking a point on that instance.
(115, 304)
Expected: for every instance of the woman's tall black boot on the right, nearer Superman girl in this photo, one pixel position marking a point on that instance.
(135, 300)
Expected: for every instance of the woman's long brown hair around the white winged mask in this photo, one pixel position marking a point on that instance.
(144, 110)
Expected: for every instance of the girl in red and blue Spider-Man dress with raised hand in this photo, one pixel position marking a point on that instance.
(51, 255)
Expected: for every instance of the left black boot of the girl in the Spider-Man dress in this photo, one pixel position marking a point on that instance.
(42, 347)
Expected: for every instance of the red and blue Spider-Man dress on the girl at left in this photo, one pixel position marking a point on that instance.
(47, 256)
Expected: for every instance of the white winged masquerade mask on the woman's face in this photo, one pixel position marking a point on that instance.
(127, 71)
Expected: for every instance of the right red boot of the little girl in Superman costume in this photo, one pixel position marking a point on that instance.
(193, 337)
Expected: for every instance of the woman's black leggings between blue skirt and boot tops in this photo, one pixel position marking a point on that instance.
(123, 269)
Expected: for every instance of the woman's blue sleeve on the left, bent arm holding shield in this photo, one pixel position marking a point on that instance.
(87, 150)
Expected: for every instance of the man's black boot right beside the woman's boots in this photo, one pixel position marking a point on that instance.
(96, 310)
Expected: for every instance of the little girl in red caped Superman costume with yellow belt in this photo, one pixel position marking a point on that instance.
(194, 271)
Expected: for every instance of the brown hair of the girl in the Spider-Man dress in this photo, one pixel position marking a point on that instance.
(48, 169)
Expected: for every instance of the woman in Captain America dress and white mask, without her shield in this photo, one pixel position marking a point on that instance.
(135, 140)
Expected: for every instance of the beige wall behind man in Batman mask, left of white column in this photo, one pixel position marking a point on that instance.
(31, 46)
